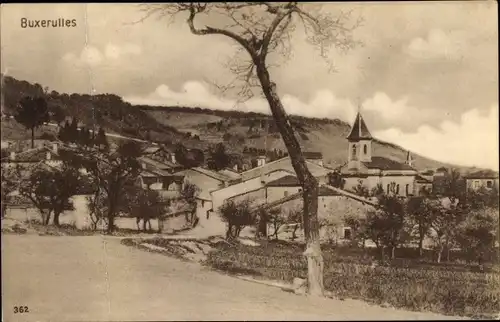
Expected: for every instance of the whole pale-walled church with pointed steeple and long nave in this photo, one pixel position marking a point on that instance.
(362, 167)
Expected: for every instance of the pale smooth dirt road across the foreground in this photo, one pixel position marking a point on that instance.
(96, 278)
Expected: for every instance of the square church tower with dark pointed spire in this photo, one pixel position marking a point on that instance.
(360, 143)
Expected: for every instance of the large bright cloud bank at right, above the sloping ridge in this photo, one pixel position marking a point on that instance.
(473, 141)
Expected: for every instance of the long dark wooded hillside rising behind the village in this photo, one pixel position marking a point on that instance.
(194, 127)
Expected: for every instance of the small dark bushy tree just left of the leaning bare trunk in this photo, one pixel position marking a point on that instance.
(237, 215)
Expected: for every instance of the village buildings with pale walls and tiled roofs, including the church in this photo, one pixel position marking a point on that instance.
(268, 183)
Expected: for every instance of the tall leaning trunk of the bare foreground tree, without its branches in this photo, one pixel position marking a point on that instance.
(308, 182)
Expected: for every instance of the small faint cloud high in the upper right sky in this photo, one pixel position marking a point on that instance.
(437, 44)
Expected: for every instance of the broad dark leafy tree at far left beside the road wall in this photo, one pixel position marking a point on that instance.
(50, 191)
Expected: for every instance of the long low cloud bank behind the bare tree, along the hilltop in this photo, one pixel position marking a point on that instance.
(322, 104)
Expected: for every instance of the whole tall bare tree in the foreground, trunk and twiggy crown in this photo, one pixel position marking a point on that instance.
(260, 29)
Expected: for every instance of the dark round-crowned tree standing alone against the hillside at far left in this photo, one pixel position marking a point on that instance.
(31, 113)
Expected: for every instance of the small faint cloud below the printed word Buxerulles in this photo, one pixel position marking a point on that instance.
(92, 56)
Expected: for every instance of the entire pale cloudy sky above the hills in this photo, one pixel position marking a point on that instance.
(425, 75)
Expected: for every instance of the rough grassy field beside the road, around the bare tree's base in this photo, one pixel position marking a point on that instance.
(417, 286)
